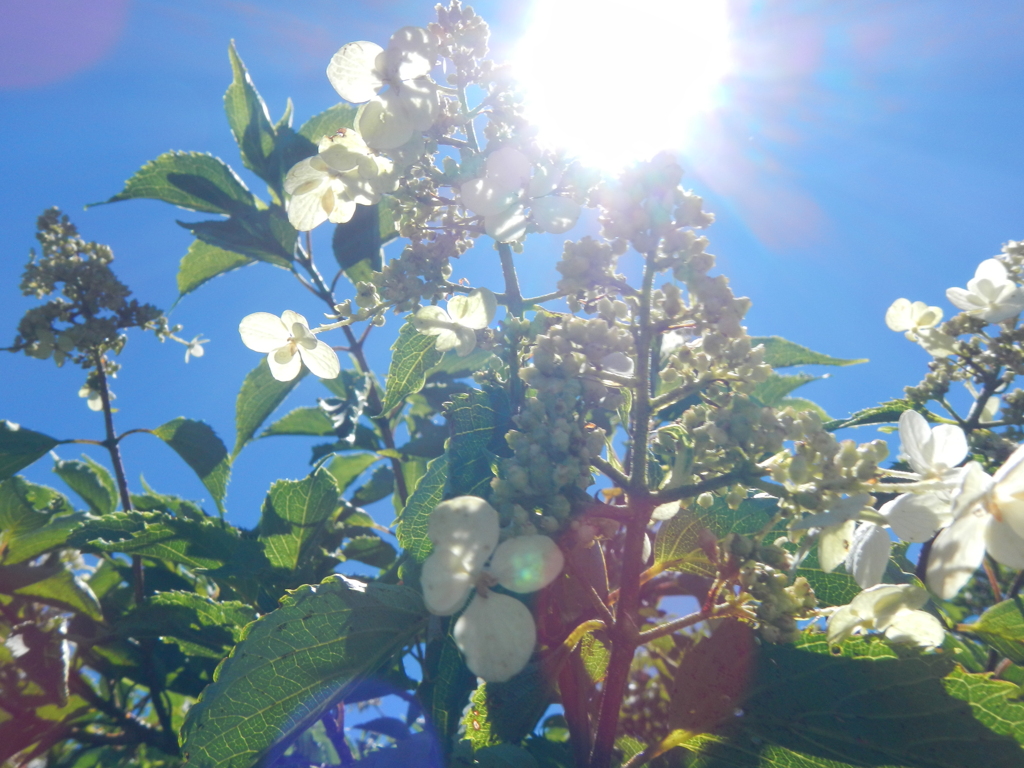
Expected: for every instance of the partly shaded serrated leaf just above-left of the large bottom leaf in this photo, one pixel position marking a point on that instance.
(199, 626)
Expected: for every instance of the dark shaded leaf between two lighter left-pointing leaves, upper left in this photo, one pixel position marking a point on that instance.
(265, 235)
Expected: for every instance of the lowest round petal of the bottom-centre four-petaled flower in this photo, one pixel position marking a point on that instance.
(497, 635)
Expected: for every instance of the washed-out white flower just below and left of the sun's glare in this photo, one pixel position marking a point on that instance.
(506, 189)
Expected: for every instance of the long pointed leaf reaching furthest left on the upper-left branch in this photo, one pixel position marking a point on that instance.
(189, 180)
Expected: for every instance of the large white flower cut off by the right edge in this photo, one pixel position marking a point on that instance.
(989, 517)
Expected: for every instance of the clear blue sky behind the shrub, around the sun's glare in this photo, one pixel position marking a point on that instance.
(861, 153)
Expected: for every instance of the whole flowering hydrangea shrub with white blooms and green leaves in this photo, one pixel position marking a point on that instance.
(559, 464)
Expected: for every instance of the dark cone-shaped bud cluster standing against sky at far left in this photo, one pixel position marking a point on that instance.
(95, 308)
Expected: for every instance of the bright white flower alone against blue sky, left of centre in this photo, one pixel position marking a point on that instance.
(288, 344)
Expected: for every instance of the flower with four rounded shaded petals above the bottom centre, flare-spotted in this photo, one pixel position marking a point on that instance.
(496, 632)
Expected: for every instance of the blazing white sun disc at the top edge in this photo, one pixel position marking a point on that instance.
(615, 82)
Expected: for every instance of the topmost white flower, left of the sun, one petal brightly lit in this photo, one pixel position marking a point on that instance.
(359, 72)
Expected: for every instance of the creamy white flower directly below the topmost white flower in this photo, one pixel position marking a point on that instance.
(330, 185)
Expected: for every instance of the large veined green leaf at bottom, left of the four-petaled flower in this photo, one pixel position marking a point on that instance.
(294, 664)
